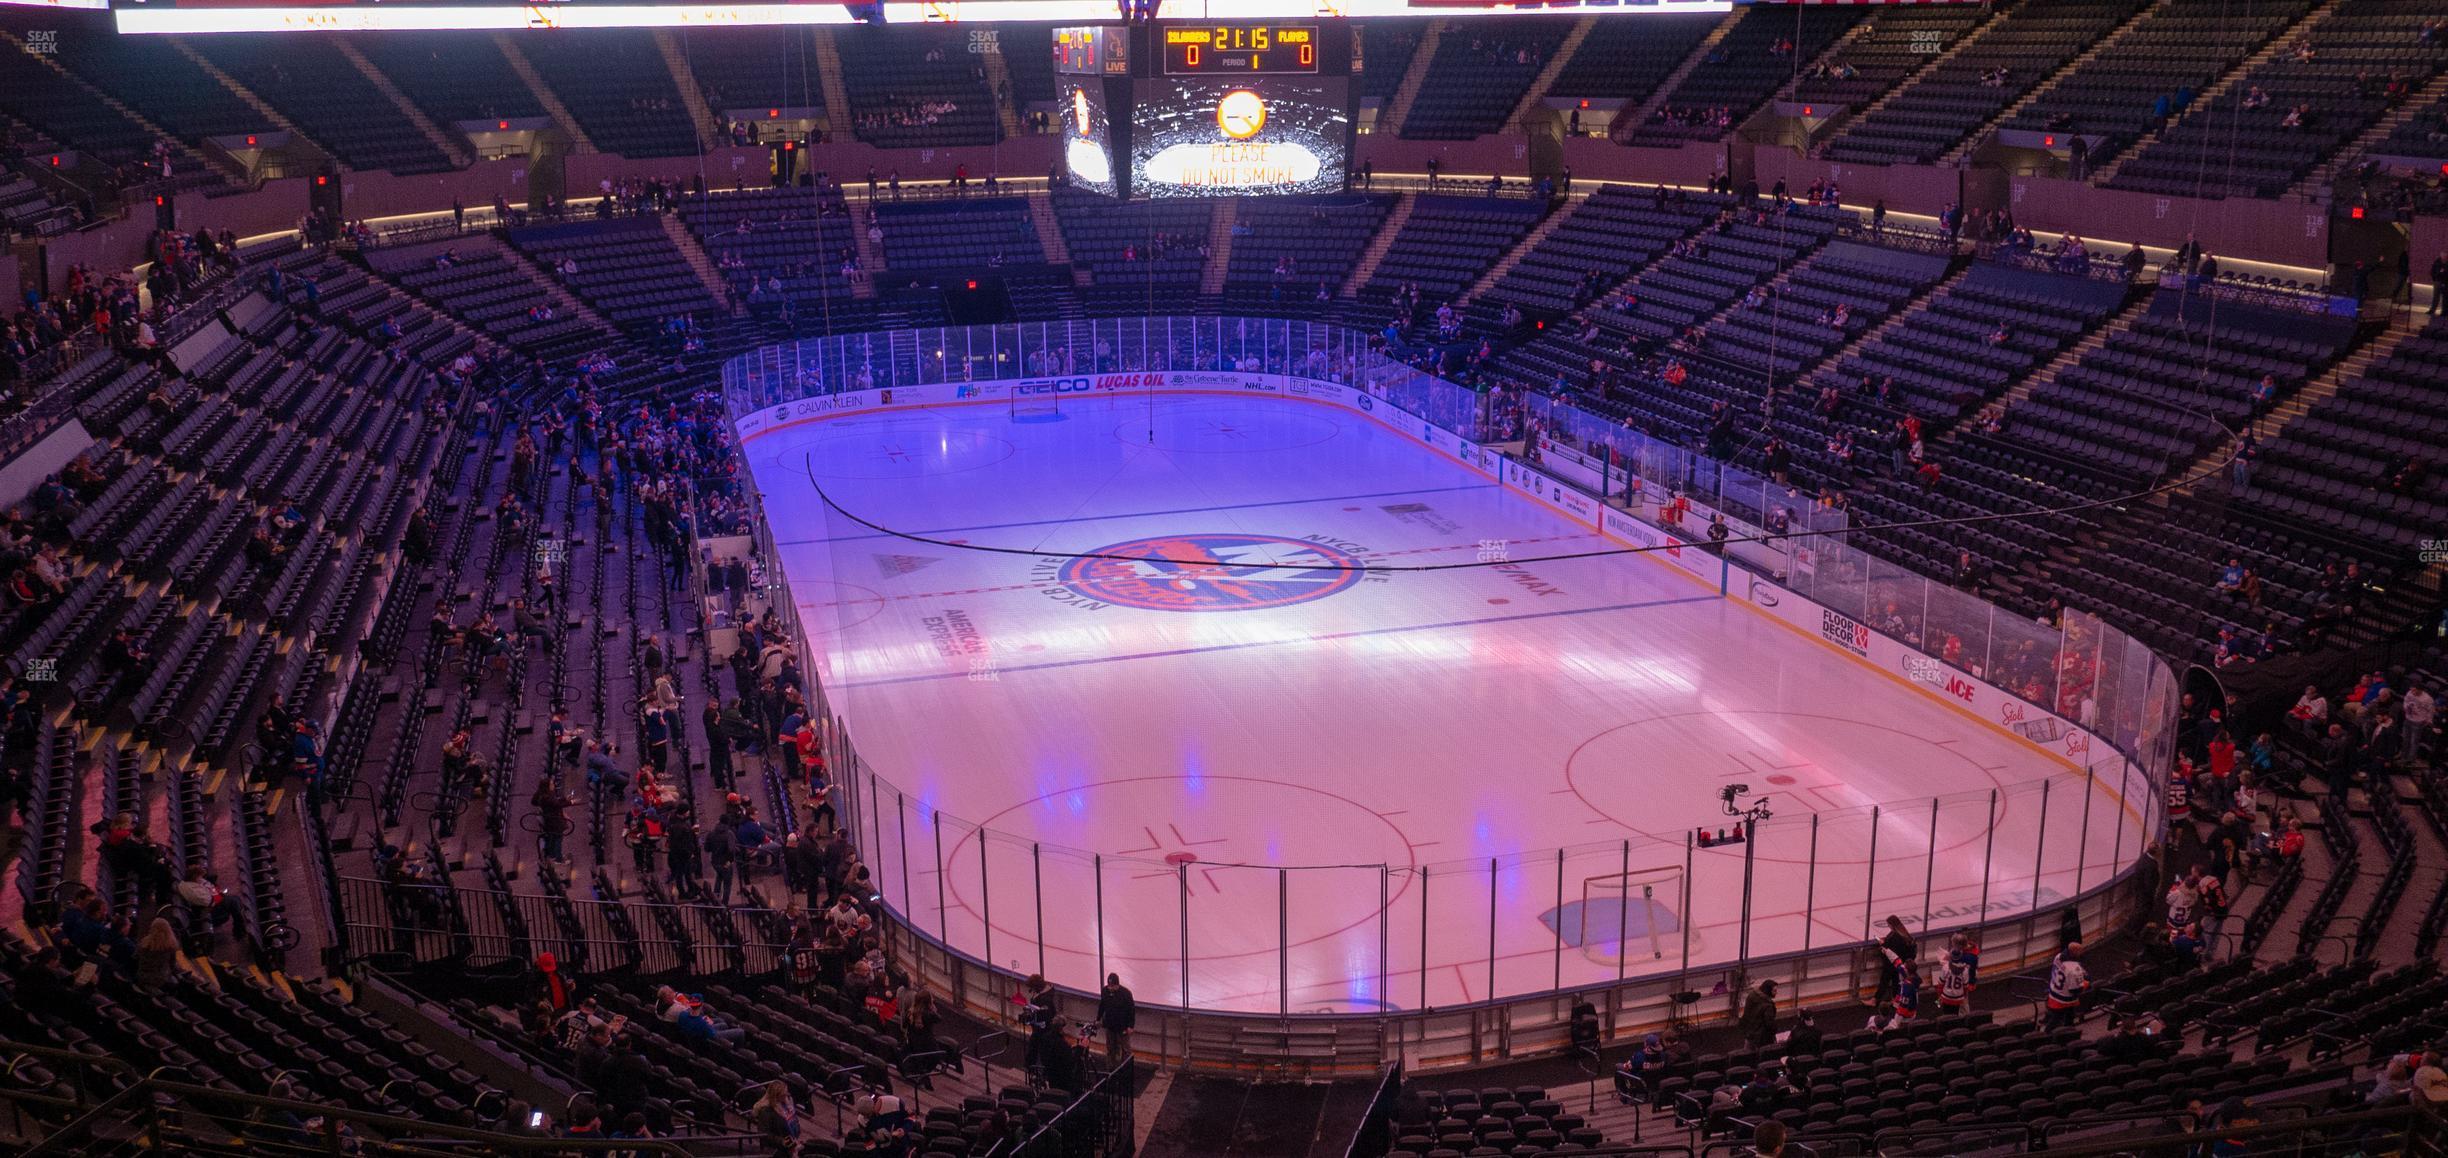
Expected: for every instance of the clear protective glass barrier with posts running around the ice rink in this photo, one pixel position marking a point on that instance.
(1426, 924)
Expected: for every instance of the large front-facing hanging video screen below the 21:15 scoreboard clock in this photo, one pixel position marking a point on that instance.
(1230, 136)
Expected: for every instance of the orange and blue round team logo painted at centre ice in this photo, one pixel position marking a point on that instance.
(1213, 572)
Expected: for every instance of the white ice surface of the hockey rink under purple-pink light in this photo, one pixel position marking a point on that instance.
(1294, 787)
